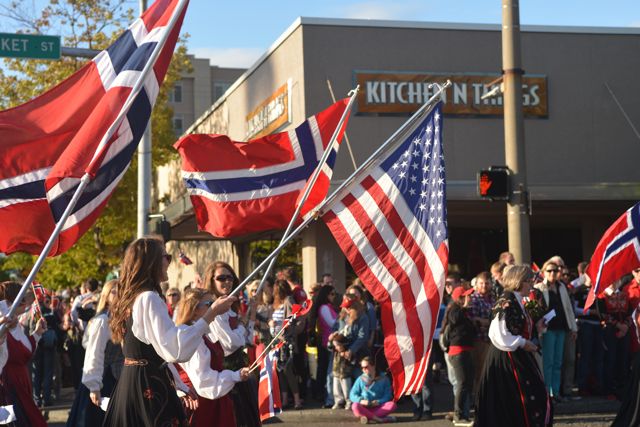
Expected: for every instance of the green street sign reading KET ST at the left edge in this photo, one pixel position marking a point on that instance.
(29, 46)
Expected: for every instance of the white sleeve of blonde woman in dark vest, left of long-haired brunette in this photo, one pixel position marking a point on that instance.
(98, 335)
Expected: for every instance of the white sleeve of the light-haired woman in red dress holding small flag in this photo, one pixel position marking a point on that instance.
(207, 382)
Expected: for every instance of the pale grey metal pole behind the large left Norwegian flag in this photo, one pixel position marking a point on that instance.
(144, 170)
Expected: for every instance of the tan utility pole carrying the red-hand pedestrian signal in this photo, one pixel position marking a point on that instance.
(518, 203)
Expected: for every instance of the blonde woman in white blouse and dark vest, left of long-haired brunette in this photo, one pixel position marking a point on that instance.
(103, 361)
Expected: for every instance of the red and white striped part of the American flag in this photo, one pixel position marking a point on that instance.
(392, 254)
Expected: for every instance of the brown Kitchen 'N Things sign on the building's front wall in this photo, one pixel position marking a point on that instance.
(403, 93)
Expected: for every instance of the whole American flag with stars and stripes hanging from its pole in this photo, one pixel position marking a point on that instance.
(391, 223)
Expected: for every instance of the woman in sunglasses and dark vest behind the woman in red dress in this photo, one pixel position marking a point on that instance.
(230, 331)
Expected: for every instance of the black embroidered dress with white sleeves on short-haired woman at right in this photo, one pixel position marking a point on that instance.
(511, 390)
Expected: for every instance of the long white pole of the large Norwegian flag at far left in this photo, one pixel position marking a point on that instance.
(86, 178)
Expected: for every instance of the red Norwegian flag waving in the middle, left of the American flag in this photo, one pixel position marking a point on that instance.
(238, 188)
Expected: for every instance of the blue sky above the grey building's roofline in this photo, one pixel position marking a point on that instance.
(235, 33)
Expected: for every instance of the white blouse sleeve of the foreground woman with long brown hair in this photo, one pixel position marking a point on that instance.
(152, 325)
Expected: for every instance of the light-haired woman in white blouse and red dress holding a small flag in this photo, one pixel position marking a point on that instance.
(204, 371)
